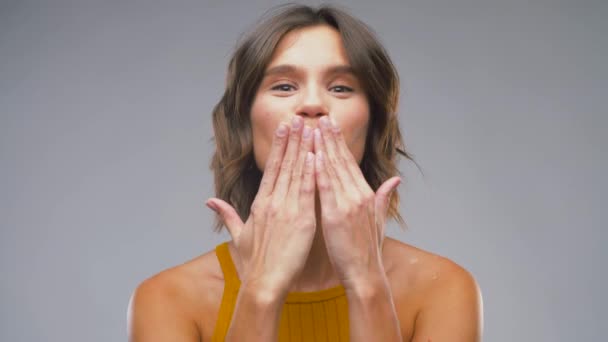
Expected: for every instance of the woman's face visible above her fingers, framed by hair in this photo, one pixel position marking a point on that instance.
(309, 75)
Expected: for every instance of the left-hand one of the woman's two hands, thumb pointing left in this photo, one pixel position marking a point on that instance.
(274, 243)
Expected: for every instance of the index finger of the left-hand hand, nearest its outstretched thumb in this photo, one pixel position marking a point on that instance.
(273, 163)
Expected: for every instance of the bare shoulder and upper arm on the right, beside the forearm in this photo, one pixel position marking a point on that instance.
(445, 296)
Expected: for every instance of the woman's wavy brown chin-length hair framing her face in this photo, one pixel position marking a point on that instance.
(236, 175)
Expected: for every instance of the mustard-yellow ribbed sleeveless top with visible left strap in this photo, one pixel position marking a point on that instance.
(306, 316)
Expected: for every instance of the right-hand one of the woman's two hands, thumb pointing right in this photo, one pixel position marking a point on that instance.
(353, 217)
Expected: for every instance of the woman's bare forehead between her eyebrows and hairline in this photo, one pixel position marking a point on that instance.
(315, 46)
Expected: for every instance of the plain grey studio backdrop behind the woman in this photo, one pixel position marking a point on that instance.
(105, 143)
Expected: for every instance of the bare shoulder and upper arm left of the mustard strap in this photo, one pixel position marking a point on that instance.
(179, 303)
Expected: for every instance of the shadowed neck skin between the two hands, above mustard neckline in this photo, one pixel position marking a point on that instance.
(318, 272)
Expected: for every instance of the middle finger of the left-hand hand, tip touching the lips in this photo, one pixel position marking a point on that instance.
(289, 159)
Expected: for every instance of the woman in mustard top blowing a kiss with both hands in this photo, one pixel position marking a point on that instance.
(307, 140)
